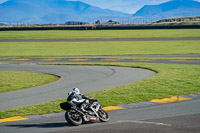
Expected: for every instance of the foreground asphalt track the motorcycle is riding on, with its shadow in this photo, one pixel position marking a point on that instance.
(179, 117)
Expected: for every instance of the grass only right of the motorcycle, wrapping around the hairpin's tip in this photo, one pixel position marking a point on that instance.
(171, 80)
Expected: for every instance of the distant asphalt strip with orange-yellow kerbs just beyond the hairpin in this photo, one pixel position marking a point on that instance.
(110, 59)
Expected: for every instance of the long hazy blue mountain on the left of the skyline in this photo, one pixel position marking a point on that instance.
(52, 11)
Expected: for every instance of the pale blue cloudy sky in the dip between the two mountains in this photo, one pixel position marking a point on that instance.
(126, 6)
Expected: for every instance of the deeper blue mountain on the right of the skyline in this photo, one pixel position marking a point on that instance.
(174, 8)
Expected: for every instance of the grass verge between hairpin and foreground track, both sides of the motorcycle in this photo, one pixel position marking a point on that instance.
(171, 80)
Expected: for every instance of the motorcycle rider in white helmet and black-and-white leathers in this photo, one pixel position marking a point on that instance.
(73, 98)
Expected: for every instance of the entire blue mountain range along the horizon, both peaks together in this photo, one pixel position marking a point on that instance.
(60, 11)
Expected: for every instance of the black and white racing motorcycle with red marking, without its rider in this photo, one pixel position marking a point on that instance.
(93, 112)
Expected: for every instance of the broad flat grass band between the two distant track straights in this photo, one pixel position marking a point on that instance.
(62, 49)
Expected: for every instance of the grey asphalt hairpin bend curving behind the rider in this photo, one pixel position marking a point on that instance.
(87, 78)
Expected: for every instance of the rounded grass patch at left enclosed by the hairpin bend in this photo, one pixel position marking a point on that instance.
(10, 80)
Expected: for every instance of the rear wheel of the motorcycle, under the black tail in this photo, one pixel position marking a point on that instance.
(73, 118)
